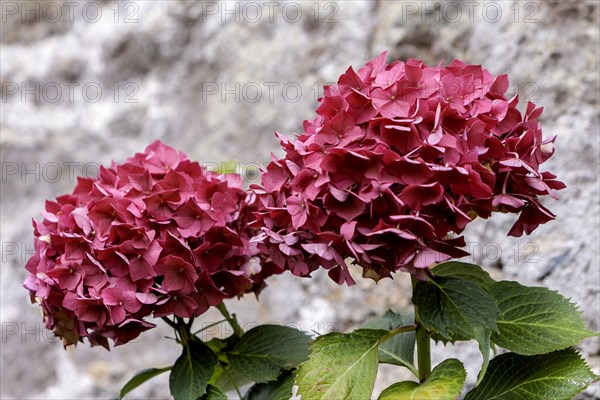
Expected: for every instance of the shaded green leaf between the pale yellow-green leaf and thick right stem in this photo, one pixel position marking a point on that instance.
(400, 349)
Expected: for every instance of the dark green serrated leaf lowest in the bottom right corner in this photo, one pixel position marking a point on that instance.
(555, 376)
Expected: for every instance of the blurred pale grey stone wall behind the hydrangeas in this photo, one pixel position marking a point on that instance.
(84, 83)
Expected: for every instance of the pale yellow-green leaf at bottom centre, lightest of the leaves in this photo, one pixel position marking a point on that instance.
(341, 366)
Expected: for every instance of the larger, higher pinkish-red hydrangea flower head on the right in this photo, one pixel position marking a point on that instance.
(400, 158)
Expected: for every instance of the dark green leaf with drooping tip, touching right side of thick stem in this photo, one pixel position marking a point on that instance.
(454, 307)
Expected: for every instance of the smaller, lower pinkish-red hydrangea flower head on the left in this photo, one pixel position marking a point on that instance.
(156, 235)
